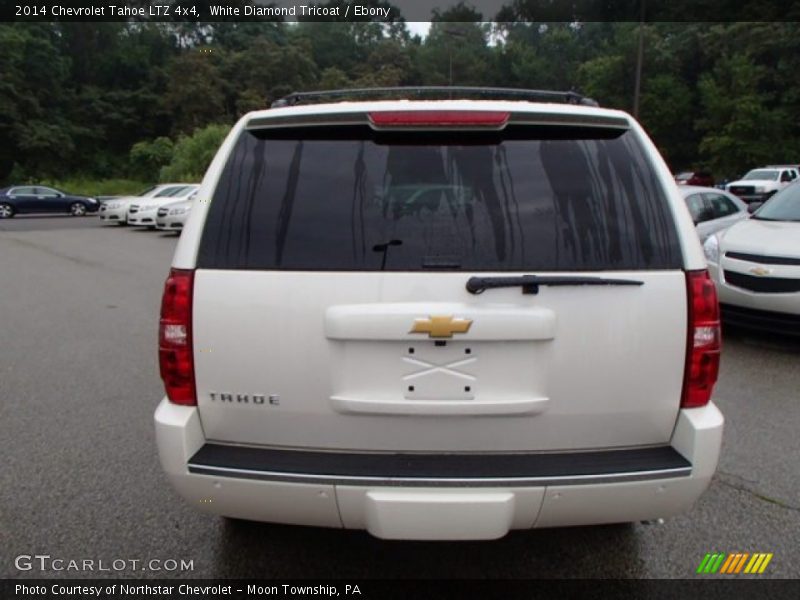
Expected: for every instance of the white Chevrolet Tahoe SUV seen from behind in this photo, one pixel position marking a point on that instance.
(439, 319)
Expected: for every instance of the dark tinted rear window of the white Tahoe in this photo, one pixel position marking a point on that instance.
(348, 198)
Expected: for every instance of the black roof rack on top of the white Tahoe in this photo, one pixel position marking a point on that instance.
(447, 92)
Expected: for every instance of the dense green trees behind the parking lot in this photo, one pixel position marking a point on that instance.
(104, 99)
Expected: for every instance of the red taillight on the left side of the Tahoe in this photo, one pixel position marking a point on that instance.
(175, 338)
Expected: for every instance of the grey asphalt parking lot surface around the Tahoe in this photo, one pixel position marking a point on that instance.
(80, 479)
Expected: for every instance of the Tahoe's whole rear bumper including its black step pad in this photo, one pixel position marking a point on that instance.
(445, 497)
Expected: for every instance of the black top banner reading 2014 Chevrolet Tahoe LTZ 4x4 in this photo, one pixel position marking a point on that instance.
(198, 11)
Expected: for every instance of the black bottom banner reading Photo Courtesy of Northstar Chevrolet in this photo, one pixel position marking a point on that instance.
(708, 589)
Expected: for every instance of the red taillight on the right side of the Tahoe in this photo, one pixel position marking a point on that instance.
(703, 347)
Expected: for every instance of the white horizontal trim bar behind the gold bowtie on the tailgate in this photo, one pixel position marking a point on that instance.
(393, 321)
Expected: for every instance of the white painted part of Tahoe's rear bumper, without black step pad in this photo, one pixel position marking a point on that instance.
(407, 512)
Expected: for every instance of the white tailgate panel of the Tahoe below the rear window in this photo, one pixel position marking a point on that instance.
(261, 332)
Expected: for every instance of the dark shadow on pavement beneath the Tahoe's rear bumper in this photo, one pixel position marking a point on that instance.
(249, 550)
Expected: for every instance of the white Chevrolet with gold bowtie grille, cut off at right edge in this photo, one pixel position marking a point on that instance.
(756, 266)
